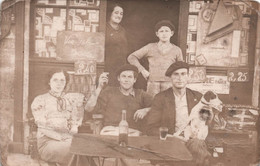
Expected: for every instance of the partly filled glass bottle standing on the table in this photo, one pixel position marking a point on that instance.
(123, 130)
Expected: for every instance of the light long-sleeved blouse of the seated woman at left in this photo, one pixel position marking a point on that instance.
(54, 122)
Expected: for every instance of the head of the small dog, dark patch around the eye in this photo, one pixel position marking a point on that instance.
(211, 99)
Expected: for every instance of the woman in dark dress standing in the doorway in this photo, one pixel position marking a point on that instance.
(116, 43)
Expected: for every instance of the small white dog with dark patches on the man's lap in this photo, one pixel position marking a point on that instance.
(201, 115)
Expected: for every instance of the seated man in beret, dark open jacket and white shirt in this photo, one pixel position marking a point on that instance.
(172, 107)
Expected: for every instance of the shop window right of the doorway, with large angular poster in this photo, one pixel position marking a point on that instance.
(215, 41)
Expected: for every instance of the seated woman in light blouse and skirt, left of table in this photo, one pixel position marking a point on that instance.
(57, 115)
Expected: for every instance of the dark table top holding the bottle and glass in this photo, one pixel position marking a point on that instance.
(142, 147)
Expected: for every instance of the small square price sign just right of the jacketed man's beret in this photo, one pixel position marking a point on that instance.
(197, 74)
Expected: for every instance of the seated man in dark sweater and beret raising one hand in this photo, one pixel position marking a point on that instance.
(112, 100)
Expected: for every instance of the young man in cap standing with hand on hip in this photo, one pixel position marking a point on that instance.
(160, 56)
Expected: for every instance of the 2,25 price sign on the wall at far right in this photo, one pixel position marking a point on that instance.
(238, 75)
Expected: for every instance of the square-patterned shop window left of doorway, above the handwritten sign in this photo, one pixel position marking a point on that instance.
(52, 16)
